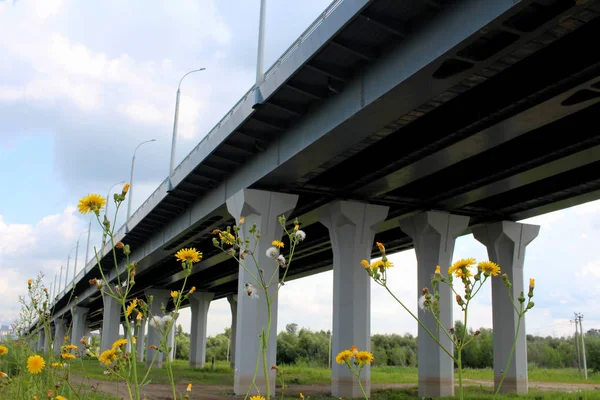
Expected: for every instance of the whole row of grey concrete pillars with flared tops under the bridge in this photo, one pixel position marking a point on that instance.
(352, 227)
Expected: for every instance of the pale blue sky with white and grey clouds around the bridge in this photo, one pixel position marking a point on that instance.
(82, 83)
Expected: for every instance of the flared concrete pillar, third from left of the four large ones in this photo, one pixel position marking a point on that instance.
(434, 234)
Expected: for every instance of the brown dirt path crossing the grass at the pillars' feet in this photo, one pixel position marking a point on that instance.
(216, 392)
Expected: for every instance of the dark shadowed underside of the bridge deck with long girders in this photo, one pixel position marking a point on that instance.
(506, 127)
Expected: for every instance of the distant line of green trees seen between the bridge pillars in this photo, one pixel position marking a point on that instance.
(312, 348)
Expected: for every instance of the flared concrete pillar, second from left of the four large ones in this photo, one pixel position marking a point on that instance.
(352, 231)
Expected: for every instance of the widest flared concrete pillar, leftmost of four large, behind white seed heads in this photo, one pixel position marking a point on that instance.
(263, 209)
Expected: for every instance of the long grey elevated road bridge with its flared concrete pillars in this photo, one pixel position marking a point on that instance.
(405, 122)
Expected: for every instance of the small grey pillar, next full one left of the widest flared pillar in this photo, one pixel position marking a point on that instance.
(199, 302)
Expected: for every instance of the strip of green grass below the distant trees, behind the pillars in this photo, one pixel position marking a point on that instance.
(298, 374)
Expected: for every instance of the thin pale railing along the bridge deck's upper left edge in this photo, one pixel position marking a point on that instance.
(289, 52)
